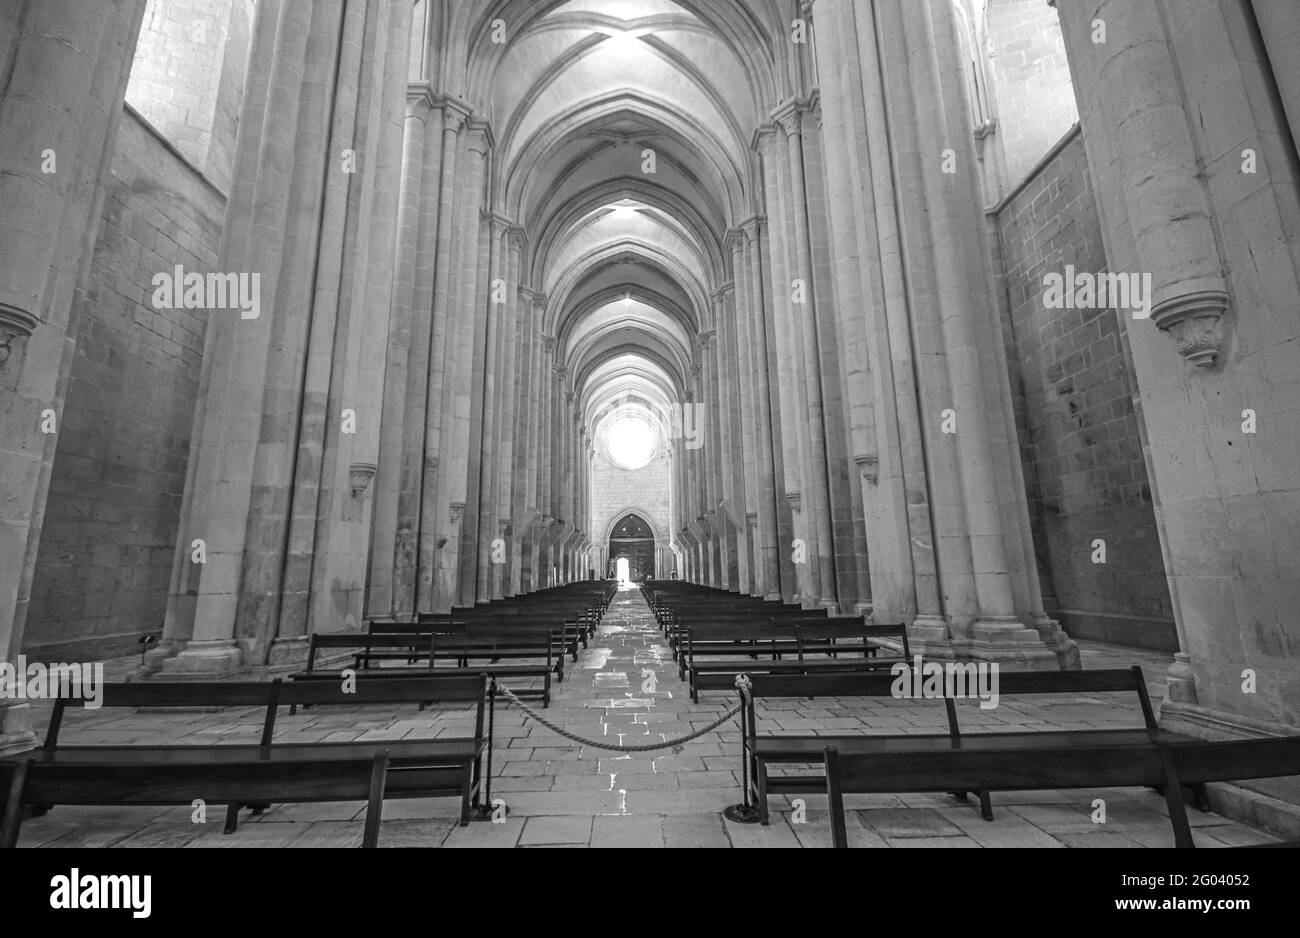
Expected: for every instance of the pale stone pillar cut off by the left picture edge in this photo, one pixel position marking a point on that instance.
(68, 66)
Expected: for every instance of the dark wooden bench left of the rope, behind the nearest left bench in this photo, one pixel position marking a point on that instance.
(418, 768)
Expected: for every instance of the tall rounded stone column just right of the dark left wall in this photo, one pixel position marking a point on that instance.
(206, 597)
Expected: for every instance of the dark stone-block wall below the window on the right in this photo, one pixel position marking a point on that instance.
(1080, 431)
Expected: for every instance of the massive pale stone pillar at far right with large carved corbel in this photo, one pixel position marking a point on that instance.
(1176, 149)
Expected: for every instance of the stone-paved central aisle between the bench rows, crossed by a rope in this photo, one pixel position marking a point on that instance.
(623, 689)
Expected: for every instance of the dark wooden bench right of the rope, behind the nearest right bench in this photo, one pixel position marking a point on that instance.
(807, 750)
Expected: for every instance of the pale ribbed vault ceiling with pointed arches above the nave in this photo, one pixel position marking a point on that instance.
(579, 97)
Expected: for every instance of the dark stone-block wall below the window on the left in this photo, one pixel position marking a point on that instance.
(119, 476)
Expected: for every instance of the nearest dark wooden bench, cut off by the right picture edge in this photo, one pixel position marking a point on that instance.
(1076, 761)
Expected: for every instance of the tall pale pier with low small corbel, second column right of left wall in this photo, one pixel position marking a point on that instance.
(335, 497)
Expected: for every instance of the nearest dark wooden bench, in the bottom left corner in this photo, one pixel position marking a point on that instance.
(177, 779)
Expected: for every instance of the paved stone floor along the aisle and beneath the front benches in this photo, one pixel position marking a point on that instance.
(562, 794)
